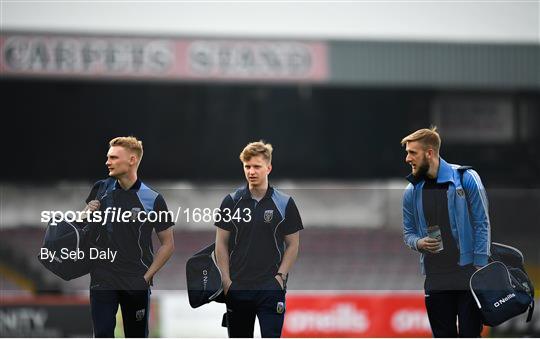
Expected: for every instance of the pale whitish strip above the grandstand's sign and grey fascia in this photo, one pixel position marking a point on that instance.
(441, 21)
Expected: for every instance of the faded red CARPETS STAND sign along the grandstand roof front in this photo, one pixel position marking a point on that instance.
(156, 58)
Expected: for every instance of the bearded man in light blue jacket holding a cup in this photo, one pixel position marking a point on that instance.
(453, 198)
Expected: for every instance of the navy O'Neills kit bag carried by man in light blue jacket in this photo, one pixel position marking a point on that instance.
(502, 289)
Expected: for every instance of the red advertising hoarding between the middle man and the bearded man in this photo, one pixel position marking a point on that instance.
(356, 315)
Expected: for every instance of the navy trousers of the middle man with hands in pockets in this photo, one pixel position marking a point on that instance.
(265, 301)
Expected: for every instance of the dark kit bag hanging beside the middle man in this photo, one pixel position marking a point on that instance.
(203, 278)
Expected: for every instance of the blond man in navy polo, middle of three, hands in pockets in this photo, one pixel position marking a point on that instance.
(257, 242)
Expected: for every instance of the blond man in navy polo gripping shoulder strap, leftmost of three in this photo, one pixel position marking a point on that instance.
(125, 279)
